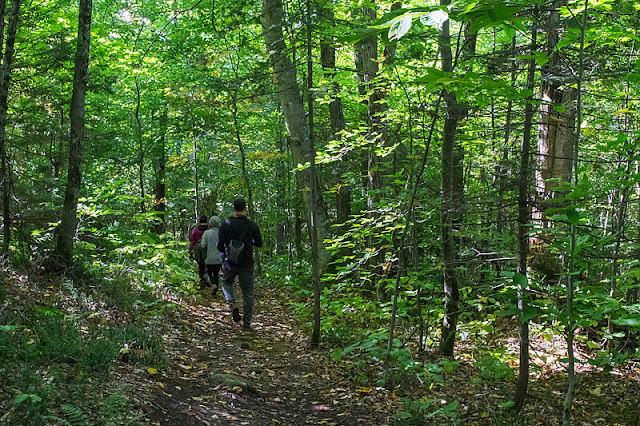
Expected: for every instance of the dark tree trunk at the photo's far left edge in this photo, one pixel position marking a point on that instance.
(5, 79)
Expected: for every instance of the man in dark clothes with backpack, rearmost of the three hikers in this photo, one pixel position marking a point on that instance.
(238, 259)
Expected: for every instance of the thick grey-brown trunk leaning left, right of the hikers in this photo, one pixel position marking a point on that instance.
(284, 76)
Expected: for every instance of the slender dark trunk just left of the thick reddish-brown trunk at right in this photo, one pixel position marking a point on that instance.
(523, 232)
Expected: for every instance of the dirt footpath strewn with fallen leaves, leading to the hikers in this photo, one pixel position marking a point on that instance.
(218, 374)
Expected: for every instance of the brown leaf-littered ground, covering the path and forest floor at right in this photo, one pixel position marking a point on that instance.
(217, 374)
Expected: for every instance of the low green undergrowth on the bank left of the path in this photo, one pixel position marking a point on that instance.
(62, 336)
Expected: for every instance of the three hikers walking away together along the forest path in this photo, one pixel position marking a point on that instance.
(227, 247)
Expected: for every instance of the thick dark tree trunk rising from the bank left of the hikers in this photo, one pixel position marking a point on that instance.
(67, 228)
